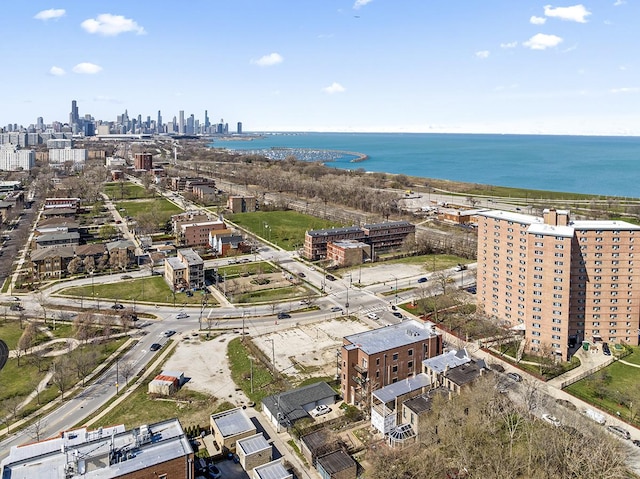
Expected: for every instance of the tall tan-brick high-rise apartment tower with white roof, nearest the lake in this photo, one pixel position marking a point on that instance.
(560, 281)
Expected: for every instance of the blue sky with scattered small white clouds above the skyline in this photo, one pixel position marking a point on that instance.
(490, 66)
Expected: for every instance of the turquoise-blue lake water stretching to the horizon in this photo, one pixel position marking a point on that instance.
(581, 164)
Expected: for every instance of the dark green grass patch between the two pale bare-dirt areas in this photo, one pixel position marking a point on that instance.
(264, 383)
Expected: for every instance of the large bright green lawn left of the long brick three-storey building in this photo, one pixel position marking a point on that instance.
(283, 228)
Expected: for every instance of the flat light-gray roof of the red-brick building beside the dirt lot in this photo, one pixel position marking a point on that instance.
(393, 336)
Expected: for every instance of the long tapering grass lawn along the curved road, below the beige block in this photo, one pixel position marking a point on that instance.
(153, 289)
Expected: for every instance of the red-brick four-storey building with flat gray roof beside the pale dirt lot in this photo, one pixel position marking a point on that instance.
(373, 359)
